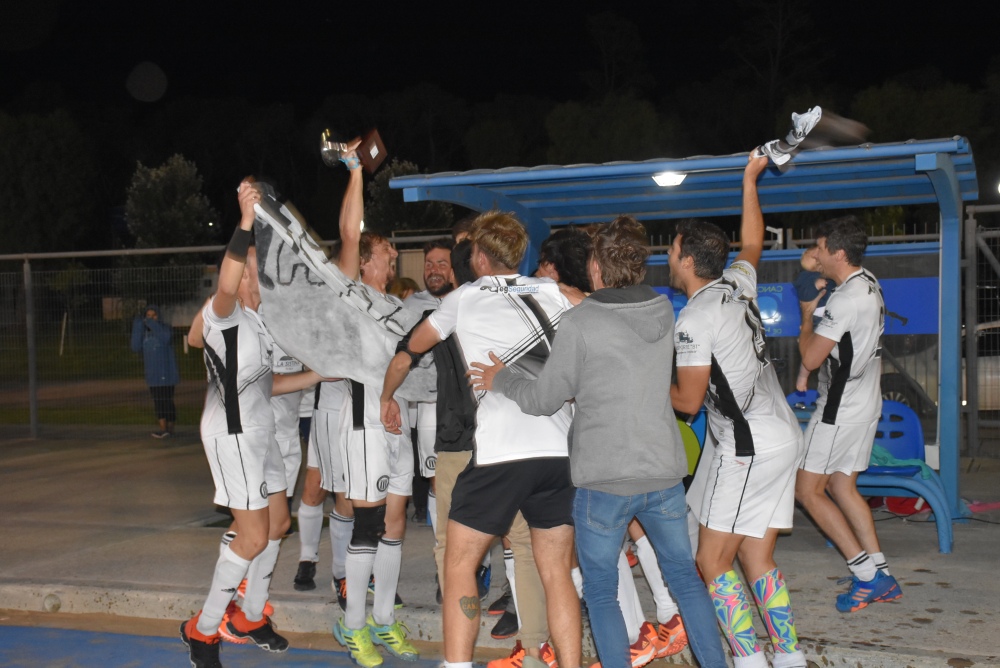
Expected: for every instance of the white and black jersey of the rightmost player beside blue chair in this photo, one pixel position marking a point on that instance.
(850, 379)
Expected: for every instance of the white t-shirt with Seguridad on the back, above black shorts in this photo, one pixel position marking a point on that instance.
(515, 318)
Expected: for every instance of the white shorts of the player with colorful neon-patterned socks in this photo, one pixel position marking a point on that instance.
(745, 495)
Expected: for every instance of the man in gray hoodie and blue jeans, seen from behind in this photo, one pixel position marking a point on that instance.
(613, 354)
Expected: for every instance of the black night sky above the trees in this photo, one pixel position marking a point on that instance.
(302, 51)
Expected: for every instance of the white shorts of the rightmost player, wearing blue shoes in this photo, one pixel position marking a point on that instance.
(831, 448)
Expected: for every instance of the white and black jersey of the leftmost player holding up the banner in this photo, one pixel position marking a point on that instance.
(238, 356)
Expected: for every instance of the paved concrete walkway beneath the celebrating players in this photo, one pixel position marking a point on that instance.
(116, 522)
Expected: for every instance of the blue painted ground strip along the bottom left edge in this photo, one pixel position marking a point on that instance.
(30, 647)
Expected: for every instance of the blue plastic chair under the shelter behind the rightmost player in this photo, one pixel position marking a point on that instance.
(900, 433)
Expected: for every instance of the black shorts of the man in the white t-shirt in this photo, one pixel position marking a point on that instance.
(486, 498)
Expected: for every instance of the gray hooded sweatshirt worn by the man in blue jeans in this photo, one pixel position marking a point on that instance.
(613, 354)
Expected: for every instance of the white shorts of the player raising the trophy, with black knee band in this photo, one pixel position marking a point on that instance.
(376, 462)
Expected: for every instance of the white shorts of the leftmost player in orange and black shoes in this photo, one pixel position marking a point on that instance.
(246, 468)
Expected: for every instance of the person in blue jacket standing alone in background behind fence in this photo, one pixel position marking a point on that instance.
(153, 339)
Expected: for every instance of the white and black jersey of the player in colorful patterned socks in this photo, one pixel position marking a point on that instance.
(721, 327)
